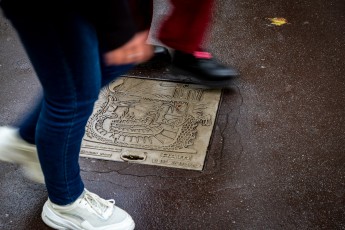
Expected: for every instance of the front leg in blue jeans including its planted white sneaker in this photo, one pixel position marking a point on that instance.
(64, 52)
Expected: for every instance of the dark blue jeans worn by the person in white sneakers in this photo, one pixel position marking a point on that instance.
(65, 54)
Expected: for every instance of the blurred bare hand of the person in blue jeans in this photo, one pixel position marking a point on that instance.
(134, 51)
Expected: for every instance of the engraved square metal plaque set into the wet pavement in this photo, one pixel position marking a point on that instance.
(152, 122)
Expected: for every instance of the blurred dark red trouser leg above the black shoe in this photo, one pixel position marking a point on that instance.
(187, 25)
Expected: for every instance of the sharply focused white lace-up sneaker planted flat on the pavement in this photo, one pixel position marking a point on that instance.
(88, 212)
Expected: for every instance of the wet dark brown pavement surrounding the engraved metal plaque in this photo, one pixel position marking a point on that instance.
(276, 159)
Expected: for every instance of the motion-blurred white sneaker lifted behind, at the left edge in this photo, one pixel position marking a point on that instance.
(15, 150)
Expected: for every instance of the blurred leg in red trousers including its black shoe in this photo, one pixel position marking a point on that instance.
(184, 31)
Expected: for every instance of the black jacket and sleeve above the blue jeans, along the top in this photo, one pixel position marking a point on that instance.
(116, 21)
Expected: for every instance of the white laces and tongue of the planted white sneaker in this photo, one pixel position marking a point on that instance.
(102, 207)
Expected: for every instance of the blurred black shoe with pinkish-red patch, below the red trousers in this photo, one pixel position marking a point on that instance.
(202, 65)
